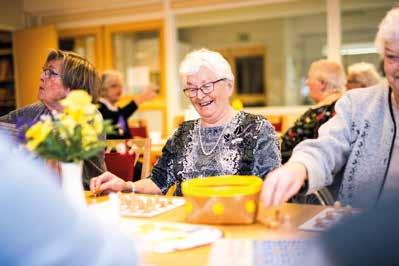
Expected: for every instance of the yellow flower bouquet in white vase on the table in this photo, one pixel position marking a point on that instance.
(76, 134)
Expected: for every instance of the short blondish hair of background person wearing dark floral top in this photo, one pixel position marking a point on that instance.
(329, 72)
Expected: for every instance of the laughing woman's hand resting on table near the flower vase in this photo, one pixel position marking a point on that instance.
(108, 182)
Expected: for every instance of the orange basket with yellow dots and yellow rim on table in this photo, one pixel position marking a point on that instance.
(222, 199)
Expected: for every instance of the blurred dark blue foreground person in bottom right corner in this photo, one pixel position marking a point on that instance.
(369, 239)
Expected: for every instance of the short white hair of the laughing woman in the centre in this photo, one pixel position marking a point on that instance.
(212, 60)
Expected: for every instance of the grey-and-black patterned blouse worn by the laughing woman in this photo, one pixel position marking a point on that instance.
(247, 145)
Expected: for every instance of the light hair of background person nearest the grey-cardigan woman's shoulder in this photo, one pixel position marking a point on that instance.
(364, 73)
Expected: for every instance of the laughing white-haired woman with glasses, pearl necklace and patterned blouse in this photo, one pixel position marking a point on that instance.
(221, 142)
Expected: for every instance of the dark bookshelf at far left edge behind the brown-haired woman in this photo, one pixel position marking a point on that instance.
(7, 88)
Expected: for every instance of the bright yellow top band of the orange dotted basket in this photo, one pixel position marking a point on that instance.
(222, 186)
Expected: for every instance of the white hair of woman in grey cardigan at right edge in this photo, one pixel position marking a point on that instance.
(388, 30)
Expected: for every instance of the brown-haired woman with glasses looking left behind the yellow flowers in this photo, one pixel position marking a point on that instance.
(62, 73)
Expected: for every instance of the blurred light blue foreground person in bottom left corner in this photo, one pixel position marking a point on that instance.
(38, 227)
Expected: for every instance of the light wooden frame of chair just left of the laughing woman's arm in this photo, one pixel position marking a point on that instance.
(142, 149)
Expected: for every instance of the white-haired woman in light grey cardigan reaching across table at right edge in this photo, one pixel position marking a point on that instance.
(356, 151)
